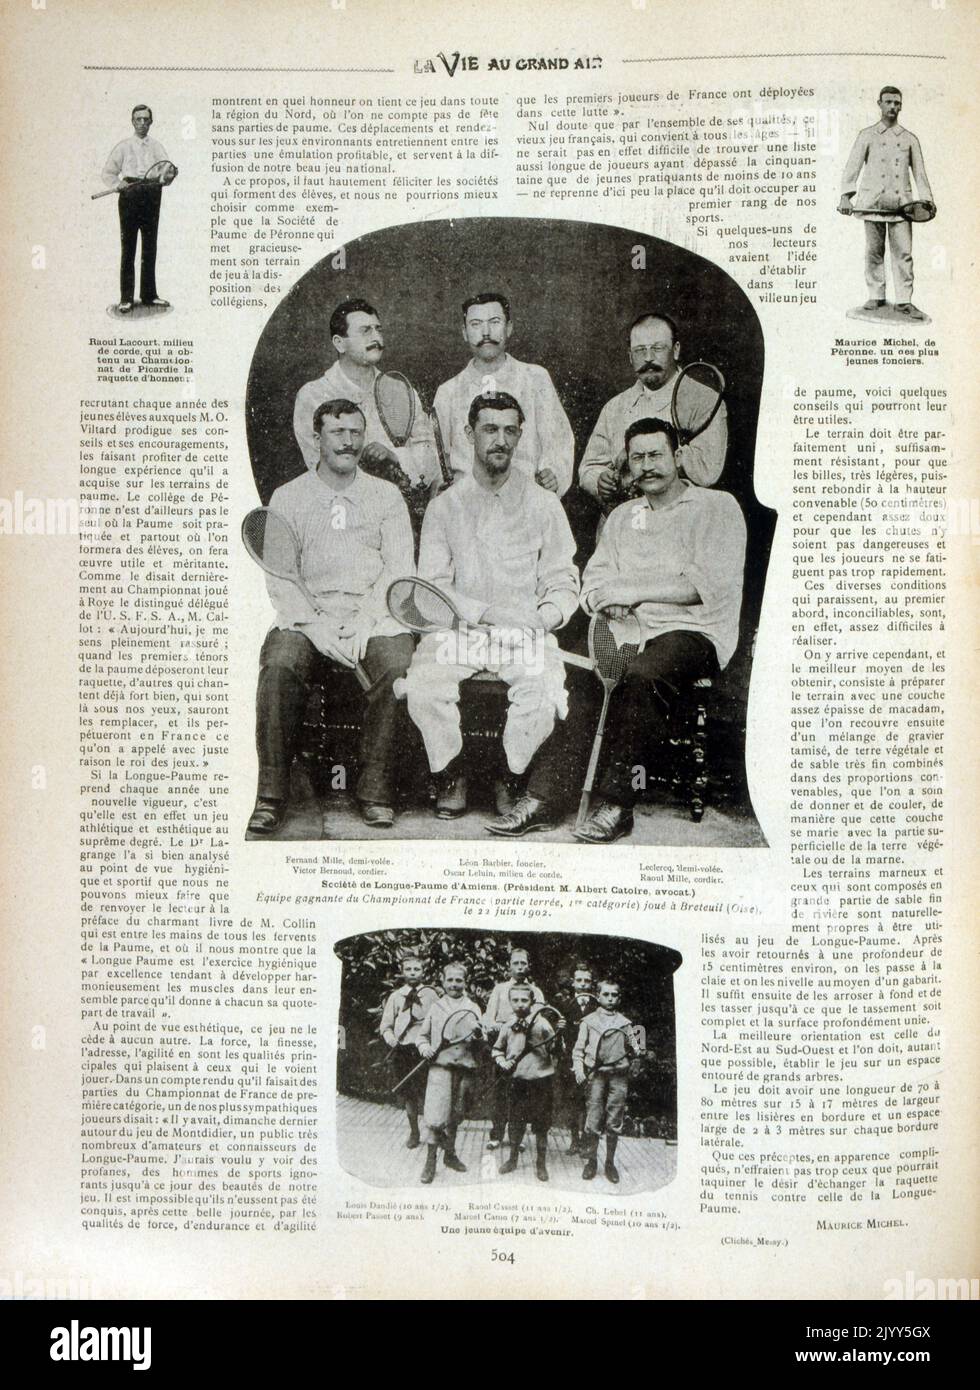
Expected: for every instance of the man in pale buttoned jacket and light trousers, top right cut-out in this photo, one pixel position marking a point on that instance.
(875, 188)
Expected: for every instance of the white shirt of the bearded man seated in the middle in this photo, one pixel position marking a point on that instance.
(512, 547)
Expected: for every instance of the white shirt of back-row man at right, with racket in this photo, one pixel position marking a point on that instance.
(701, 461)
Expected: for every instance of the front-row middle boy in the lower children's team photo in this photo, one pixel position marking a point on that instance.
(525, 1056)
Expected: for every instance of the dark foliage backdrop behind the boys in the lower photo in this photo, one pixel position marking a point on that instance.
(644, 971)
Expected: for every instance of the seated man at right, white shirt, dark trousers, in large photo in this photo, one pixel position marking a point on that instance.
(668, 573)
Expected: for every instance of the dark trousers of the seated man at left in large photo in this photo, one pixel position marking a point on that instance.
(290, 667)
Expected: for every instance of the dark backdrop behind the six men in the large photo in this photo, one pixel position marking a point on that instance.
(573, 293)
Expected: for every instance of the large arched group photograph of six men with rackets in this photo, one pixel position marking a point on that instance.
(509, 598)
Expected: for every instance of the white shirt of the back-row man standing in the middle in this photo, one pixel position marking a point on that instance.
(547, 440)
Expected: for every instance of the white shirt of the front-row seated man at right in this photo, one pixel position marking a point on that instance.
(701, 539)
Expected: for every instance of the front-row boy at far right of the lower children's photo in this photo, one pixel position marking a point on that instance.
(601, 1063)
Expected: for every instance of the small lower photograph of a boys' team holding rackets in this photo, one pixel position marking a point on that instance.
(469, 1057)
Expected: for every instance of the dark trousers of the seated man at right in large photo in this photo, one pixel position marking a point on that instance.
(636, 725)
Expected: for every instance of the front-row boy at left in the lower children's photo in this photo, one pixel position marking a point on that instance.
(448, 1040)
